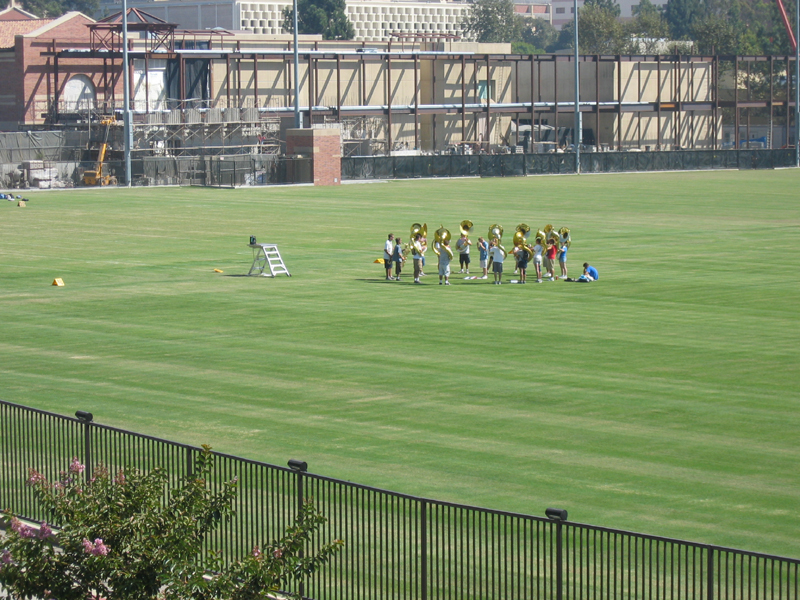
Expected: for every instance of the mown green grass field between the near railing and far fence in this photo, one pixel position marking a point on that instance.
(662, 399)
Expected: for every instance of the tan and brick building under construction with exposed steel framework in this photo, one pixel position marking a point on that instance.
(216, 93)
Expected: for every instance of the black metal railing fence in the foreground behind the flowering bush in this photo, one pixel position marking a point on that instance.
(403, 547)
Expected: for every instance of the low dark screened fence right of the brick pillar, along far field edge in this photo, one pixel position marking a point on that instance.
(513, 165)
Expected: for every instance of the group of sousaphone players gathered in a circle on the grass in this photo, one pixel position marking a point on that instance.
(550, 245)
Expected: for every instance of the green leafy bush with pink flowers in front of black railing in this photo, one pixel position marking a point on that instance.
(118, 538)
